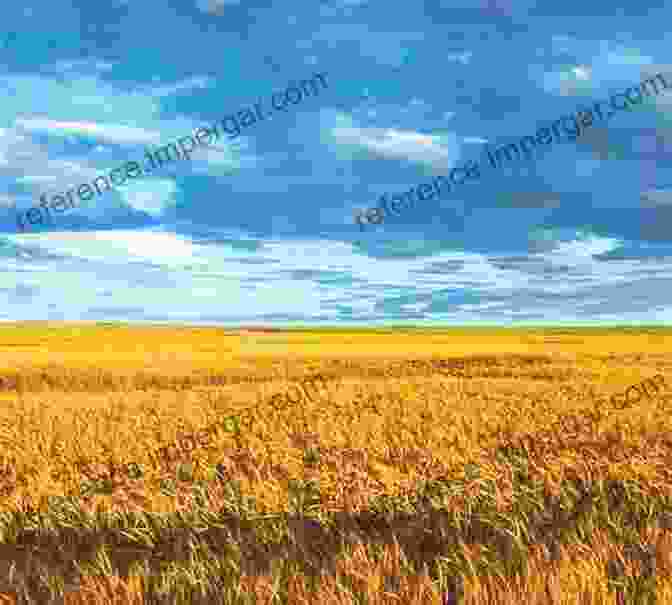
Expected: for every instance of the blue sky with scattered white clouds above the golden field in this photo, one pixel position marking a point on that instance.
(260, 229)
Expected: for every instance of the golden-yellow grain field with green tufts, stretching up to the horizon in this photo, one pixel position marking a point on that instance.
(473, 466)
